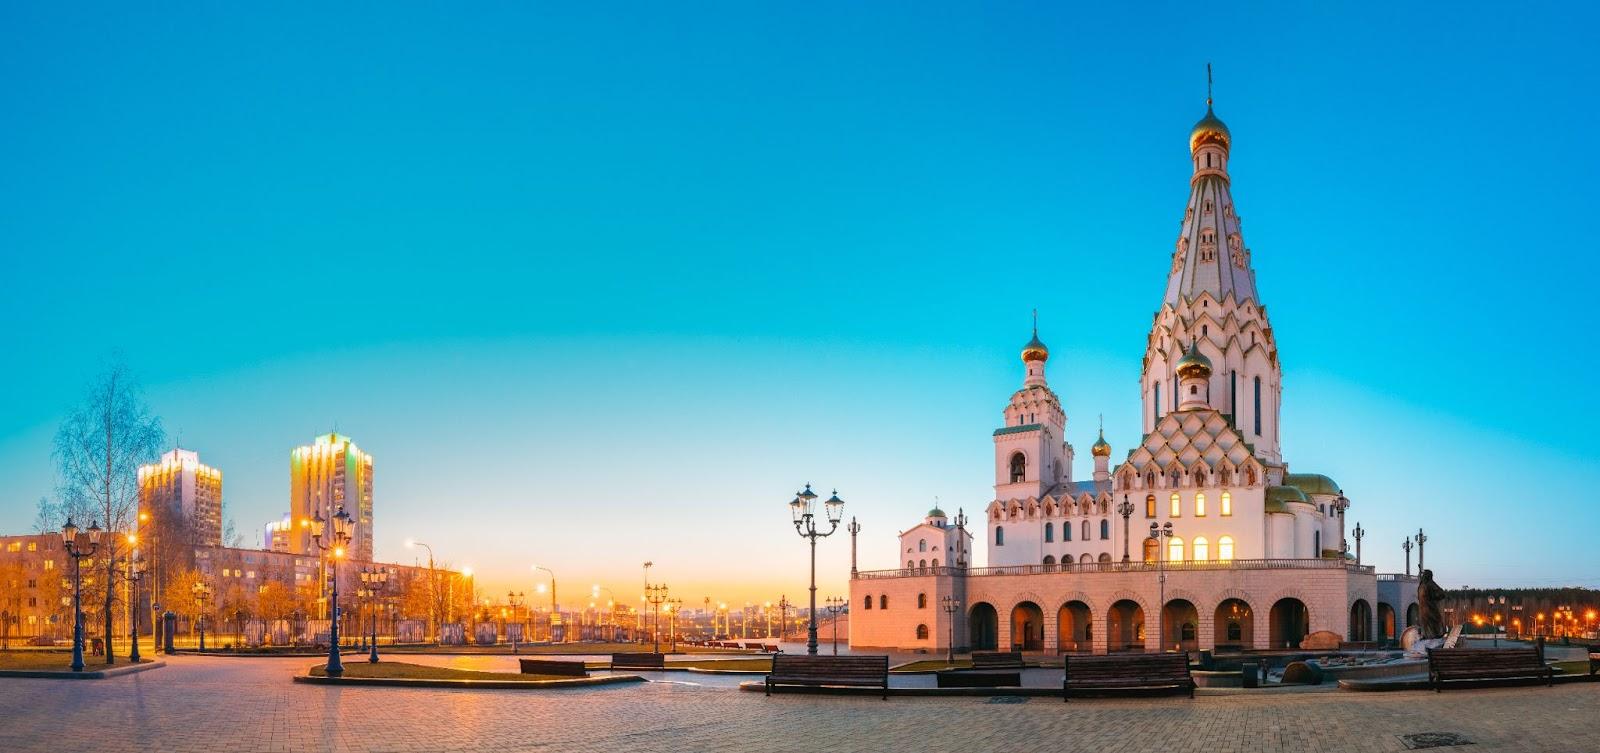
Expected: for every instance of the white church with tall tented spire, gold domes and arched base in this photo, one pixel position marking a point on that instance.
(1201, 538)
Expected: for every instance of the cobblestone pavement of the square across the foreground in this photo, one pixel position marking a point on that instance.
(250, 706)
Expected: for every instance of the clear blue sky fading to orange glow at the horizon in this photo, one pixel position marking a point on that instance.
(607, 285)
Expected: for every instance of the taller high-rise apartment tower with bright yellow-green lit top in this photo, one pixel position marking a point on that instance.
(326, 476)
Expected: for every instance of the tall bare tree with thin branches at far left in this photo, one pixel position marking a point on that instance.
(98, 452)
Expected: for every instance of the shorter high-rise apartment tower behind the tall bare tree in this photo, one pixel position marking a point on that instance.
(180, 493)
